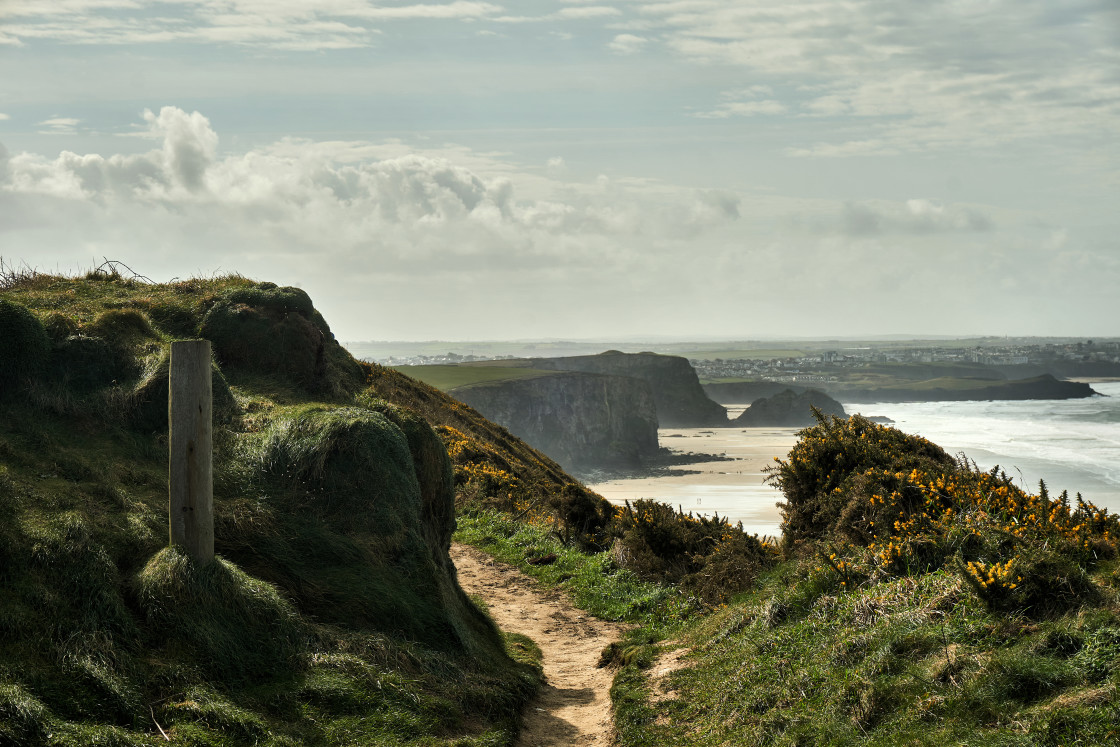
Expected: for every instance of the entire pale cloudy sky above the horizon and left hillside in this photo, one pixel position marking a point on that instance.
(578, 170)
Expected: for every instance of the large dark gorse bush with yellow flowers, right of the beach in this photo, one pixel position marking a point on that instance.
(897, 505)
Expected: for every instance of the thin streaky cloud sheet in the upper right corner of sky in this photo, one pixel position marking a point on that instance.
(913, 79)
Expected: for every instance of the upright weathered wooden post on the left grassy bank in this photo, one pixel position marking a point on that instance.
(191, 473)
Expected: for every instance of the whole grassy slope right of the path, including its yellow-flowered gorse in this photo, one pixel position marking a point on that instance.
(920, 602)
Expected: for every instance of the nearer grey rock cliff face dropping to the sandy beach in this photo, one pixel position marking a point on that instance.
(578, 419)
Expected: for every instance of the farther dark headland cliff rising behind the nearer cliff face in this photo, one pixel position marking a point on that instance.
(677, 393)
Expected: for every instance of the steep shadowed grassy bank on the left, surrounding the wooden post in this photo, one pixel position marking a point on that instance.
(331, 617)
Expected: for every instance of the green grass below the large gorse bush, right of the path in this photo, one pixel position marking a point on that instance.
(912, 661)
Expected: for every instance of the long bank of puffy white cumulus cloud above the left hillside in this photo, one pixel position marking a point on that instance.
(361, 210)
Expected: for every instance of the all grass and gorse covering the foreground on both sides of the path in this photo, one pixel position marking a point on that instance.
(912, 599)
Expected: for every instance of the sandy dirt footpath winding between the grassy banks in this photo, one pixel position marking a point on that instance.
(574, 707)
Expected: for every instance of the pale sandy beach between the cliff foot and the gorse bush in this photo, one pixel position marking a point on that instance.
(732, 489)
